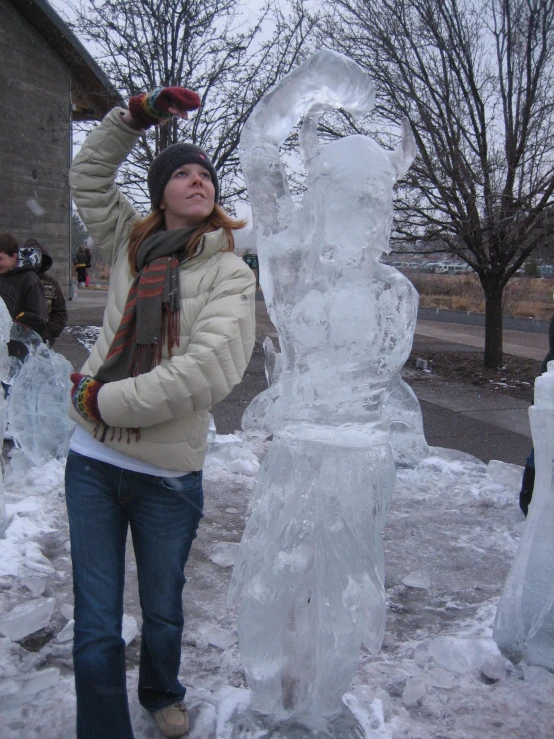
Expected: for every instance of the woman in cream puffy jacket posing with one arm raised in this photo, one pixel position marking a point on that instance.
(177, 335)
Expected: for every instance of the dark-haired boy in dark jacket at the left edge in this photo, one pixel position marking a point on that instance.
(21, 289)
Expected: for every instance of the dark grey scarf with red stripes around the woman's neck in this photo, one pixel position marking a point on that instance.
(151, 315)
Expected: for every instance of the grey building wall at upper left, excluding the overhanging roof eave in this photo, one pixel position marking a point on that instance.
(34, 140)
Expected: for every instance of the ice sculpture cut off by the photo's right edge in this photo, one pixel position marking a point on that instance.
(524, 624)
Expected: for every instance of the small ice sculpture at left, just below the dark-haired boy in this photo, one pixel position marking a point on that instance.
(38, 402)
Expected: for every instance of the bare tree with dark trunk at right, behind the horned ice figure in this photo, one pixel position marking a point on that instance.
(475, 77)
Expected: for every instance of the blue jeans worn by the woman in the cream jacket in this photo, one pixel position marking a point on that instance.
(163, 513)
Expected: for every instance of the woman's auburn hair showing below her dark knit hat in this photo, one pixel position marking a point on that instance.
(155, 222)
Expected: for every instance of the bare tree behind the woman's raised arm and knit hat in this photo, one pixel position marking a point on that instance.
(214, 47)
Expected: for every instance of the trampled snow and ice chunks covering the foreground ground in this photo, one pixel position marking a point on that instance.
(452, 531)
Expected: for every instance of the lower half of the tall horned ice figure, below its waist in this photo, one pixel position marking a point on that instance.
(310, 569)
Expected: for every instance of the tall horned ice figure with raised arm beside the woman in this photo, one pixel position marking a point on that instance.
(310, 571)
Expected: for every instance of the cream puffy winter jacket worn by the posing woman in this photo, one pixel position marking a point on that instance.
(170, 404)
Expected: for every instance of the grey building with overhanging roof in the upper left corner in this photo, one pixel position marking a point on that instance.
(48, 80)
